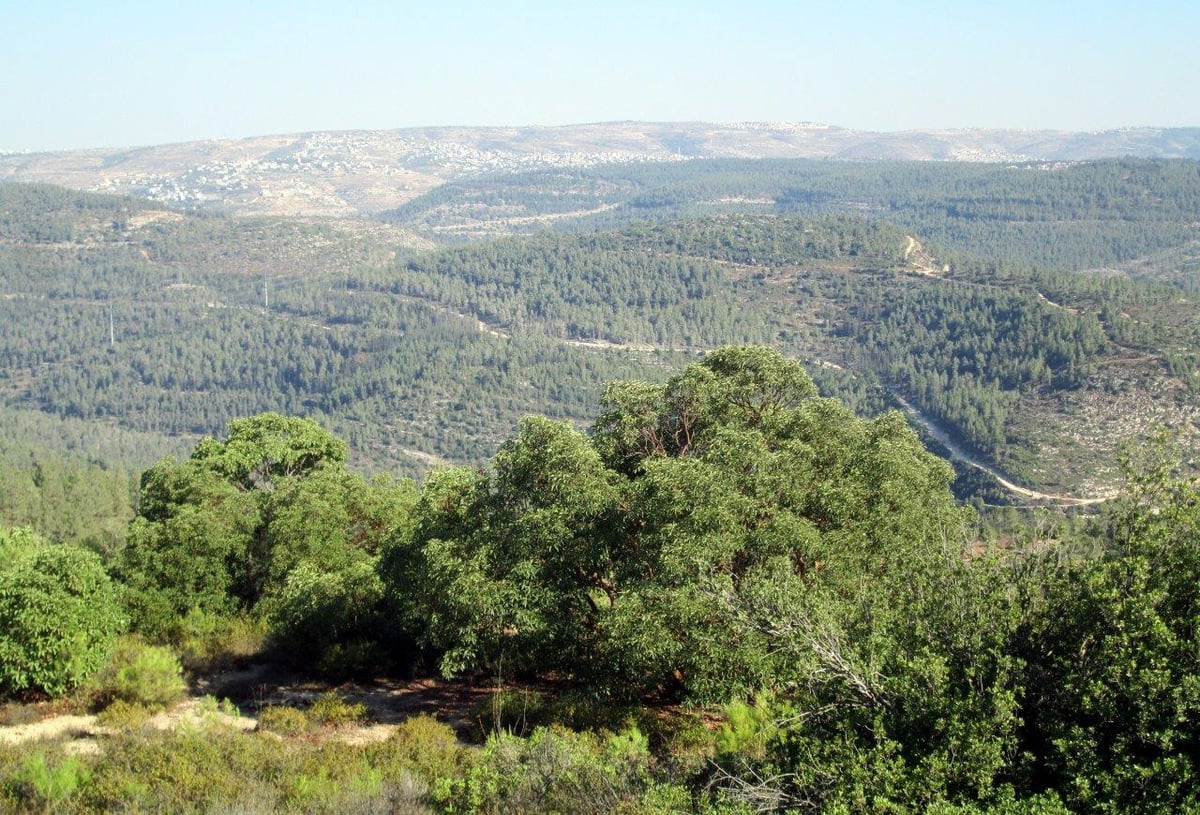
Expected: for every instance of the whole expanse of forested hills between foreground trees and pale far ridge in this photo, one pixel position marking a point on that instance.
(131, 317)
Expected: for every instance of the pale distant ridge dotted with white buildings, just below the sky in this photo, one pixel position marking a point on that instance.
(344, 173)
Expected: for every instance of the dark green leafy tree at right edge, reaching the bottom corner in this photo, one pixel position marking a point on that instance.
(1113, 686)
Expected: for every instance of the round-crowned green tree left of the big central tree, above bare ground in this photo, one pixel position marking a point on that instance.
(267, 522)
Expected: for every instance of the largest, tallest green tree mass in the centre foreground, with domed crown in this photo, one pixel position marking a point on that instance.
(617, 556)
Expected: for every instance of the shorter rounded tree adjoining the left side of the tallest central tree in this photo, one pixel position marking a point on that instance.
(514, 566)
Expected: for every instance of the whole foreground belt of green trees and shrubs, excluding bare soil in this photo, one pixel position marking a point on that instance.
(725, 538)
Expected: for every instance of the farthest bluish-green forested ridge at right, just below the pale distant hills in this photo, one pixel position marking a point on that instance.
(1061, 215)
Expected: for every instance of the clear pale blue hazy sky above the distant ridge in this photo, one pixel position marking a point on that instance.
(125, 74)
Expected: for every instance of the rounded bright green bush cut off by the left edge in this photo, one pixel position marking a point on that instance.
(59, 615)
